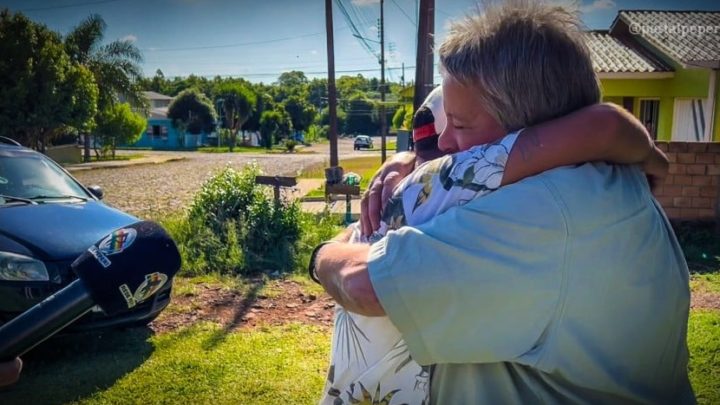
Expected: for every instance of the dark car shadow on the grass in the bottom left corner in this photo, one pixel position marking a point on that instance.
(72, 367)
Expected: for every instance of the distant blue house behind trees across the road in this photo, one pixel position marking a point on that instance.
(160, 132)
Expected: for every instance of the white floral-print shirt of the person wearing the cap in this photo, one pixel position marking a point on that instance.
(370, 362)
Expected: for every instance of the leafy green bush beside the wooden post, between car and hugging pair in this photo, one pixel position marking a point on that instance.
(233, 226)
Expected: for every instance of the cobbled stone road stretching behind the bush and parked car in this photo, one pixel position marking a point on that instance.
(152, 191)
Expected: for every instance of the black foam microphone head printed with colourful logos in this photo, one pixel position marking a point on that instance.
(128, 266)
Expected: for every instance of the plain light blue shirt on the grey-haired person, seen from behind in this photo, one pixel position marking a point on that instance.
(569, 286)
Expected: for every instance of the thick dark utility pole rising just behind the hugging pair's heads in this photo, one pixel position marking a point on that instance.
(424, 55)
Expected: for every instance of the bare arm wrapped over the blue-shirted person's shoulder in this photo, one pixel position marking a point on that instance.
(598, 132)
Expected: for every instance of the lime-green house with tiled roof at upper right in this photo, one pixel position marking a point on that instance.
(662, 66)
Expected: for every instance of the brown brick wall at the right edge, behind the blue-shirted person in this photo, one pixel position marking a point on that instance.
(690, 191)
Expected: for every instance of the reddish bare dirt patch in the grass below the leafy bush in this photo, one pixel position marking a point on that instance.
(235, 310)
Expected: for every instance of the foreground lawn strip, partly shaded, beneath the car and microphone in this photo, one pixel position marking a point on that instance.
(200, 365)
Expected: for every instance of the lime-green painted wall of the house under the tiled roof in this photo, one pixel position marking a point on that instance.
(687, 83)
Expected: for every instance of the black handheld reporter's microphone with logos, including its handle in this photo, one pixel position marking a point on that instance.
(123, 269)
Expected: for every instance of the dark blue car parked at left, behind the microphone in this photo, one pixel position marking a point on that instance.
(47, 219)
